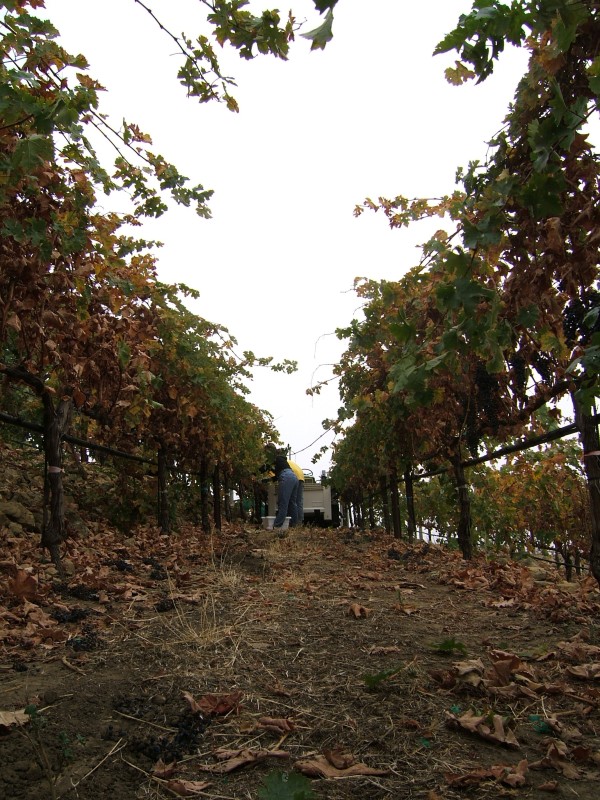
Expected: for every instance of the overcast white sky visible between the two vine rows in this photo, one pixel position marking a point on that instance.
(372, 115)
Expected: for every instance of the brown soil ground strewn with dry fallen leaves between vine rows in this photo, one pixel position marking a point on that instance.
(240, 664)
